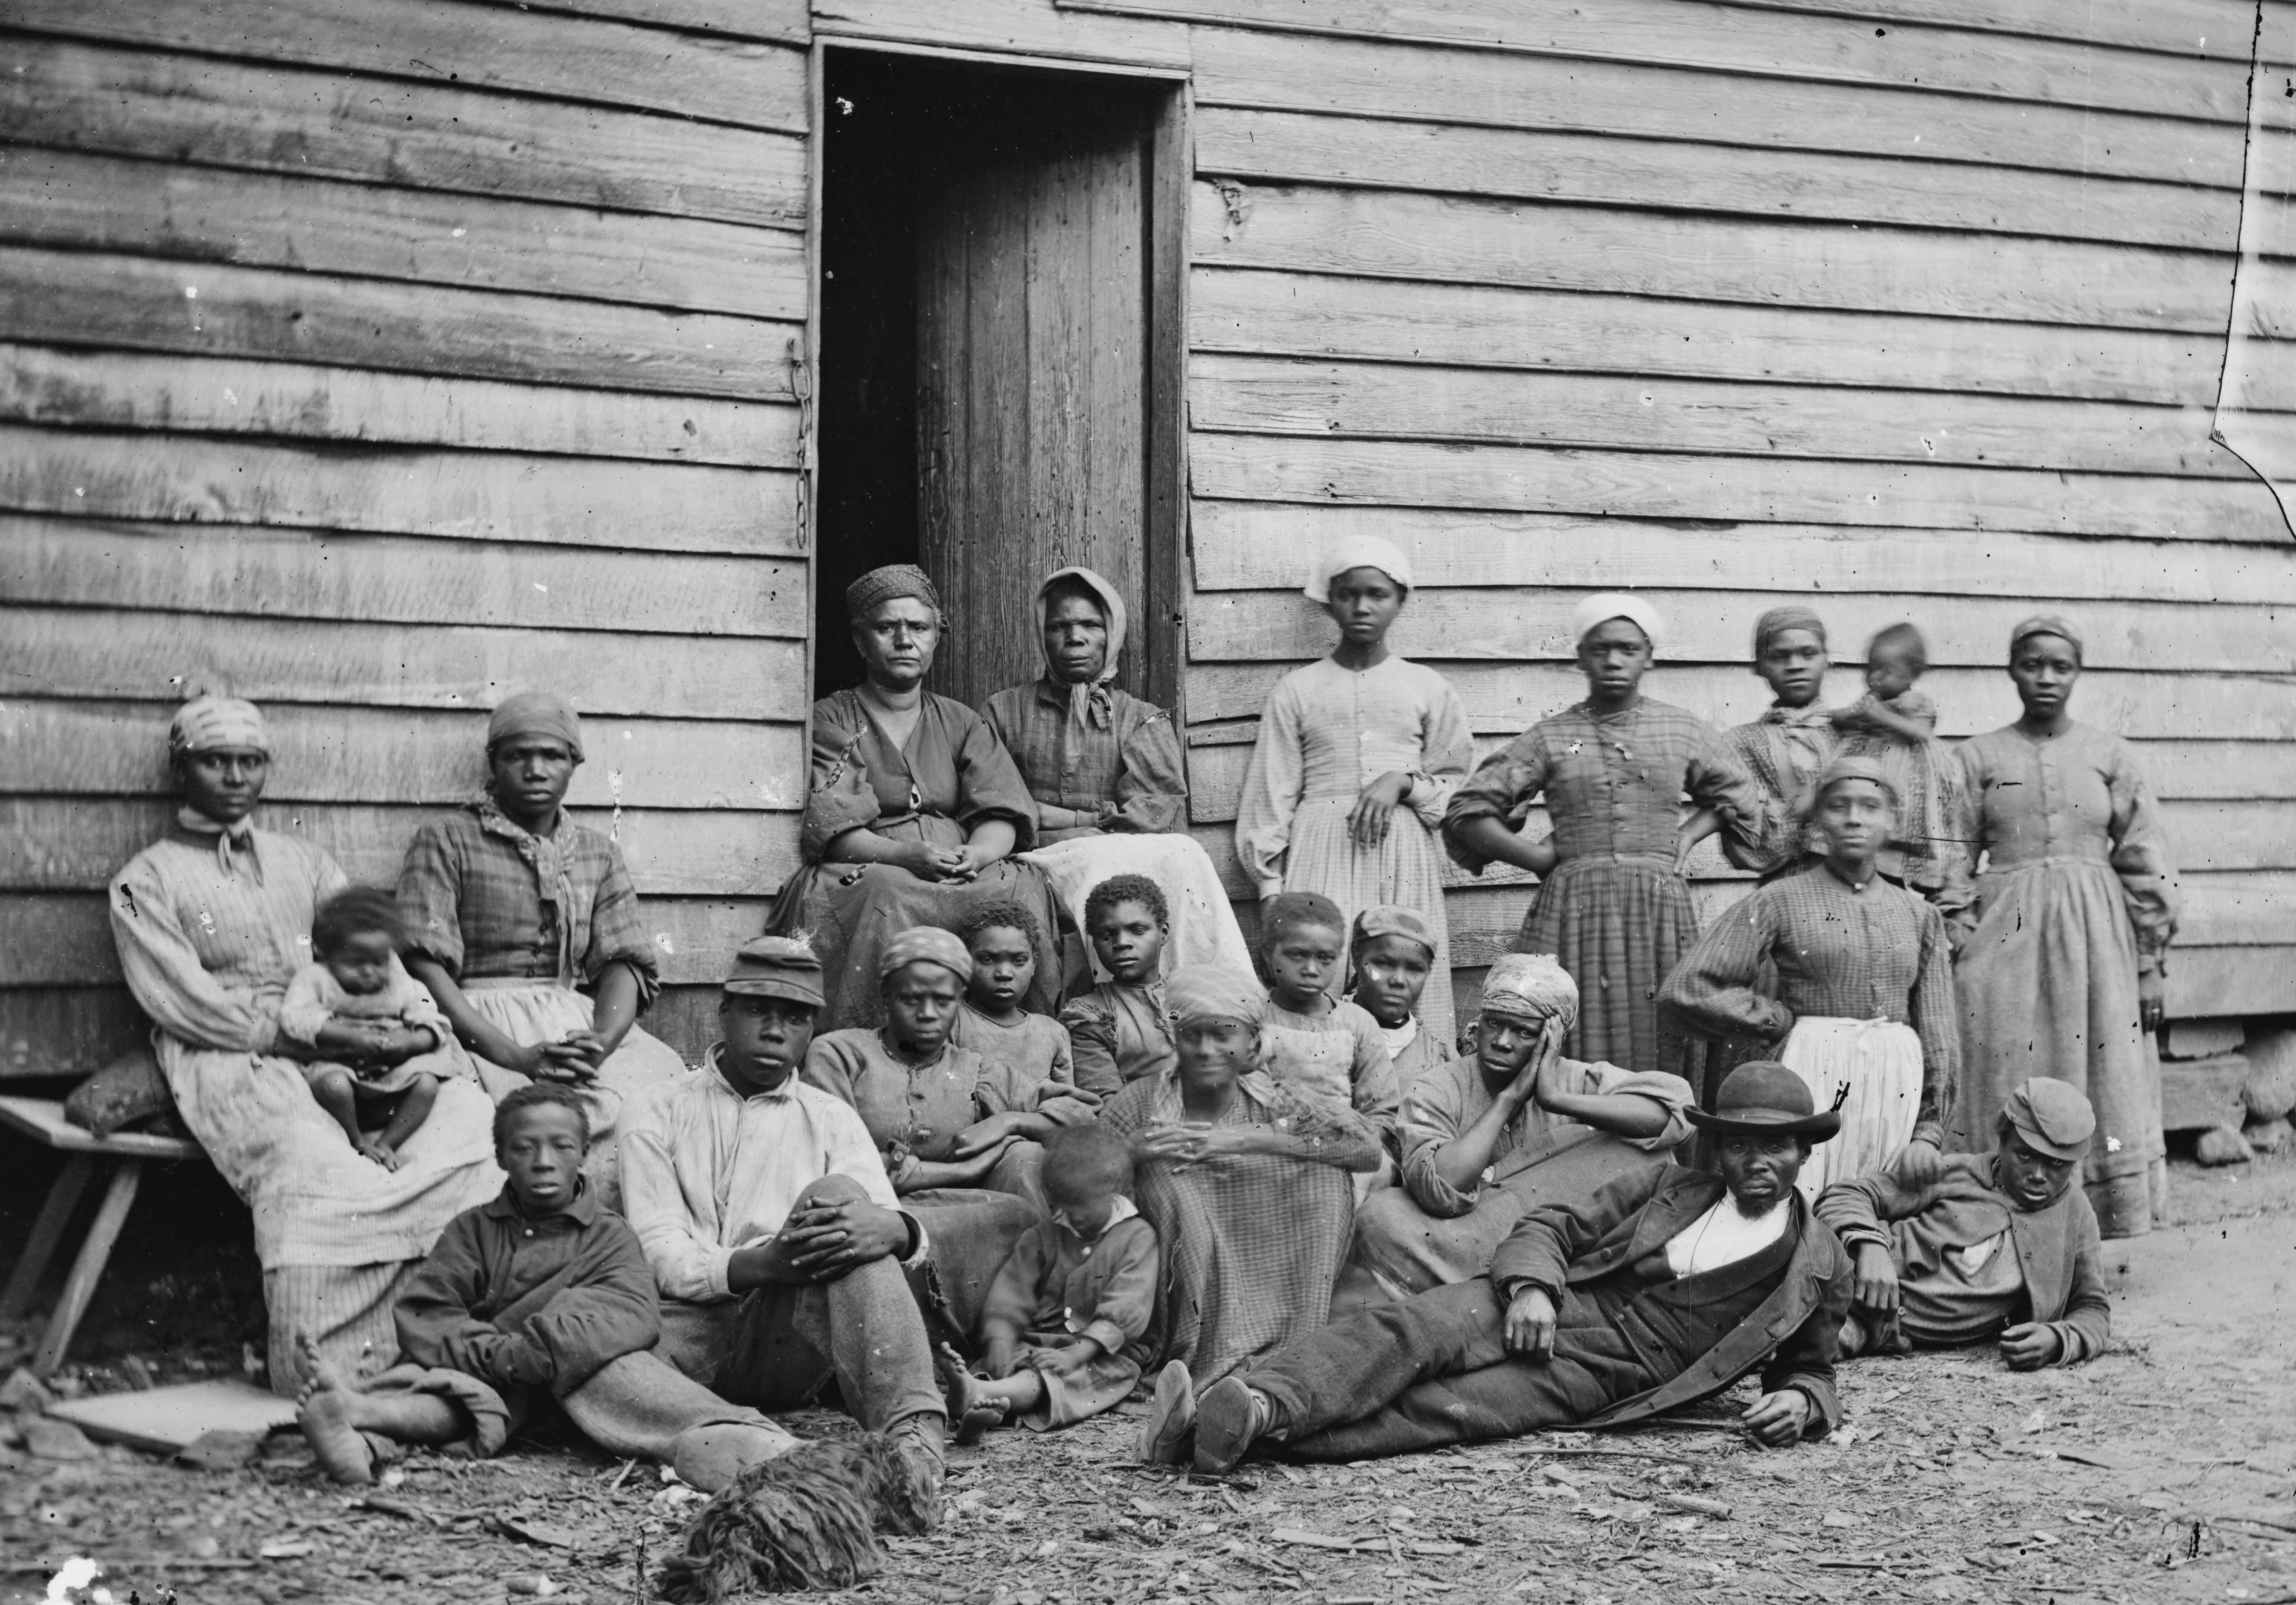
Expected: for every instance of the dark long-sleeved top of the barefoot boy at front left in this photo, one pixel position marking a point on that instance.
(532, 1303)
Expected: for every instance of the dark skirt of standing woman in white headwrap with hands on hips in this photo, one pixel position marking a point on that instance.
(1618, 926)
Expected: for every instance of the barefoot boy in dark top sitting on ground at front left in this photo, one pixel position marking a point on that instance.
(529, 1305)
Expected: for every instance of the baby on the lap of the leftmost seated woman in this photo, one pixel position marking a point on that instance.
(362, 1011)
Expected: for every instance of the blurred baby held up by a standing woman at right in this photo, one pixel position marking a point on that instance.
(1900, 724)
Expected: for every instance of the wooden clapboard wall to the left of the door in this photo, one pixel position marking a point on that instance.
(373, 359)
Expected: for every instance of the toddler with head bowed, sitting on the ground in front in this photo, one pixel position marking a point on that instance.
(1066, 1317)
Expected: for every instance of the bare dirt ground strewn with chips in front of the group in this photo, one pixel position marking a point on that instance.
(2164, 1471)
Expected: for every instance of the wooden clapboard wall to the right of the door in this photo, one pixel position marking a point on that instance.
(1907, 307)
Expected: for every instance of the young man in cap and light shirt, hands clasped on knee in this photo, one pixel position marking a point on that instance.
(770, 1223)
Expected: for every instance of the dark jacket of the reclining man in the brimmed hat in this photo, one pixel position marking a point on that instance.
(1792, 1335)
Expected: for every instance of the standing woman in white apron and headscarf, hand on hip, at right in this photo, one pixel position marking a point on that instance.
(1843, 977)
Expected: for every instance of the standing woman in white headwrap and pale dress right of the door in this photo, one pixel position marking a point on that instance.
(1356, 766)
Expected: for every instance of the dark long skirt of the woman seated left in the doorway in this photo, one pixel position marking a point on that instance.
(853, 910)
